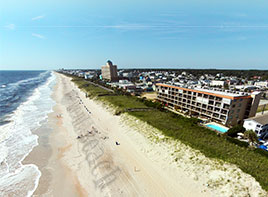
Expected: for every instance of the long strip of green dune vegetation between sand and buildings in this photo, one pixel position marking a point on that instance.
(187, 130)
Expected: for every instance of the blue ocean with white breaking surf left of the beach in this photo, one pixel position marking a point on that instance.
(25, 101)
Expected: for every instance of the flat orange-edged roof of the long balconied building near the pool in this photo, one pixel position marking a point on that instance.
(213, 92)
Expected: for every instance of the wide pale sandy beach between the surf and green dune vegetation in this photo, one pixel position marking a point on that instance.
(88, 151)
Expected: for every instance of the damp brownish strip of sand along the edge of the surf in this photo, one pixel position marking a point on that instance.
(46, 157)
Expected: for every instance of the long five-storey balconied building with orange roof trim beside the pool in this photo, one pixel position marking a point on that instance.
(226, 107)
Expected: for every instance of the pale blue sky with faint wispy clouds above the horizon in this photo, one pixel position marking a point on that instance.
(52, 34)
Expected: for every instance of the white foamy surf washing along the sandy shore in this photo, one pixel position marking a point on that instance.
(17, 141)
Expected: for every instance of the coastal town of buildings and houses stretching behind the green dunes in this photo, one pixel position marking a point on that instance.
(221, 102)
